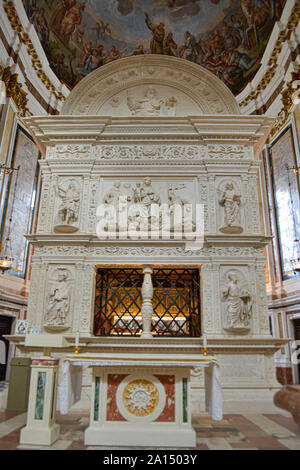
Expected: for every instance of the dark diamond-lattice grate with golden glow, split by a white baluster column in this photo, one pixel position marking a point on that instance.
(176, 302)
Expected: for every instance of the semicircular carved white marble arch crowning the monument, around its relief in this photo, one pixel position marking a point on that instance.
(202, 88)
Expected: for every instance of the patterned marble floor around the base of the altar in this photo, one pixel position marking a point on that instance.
(247, 431)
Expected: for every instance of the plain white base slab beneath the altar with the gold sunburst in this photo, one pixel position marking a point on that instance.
(159, 436)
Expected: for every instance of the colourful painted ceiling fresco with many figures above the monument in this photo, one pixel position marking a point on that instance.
(228, 37)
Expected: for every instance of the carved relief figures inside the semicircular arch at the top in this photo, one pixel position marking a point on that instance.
(150, 105)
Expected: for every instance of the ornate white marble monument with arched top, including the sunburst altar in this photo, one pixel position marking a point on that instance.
(143, 138)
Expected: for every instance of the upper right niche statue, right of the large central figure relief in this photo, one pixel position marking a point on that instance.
(231, 203)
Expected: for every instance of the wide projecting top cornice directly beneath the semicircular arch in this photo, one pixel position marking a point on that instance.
(244, 130)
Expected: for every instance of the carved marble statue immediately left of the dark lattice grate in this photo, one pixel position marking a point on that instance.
(58, 303)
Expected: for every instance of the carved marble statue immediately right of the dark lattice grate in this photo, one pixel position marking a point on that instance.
(238, 304)
